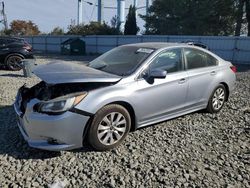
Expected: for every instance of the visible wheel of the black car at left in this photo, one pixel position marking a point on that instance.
(13, 62)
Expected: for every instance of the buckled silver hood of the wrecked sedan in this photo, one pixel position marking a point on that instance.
(59, 72)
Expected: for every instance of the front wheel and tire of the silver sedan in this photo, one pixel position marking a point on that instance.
(109, 127)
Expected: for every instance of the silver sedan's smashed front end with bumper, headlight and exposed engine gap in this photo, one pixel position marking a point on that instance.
(45, 114)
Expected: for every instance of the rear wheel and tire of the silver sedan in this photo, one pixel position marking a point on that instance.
(217, 99)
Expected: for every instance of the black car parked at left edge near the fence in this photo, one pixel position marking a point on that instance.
(12, 51)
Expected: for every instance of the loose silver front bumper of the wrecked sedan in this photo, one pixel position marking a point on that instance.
(51, 132)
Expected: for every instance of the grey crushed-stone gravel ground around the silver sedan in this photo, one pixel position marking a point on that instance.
(196, 150)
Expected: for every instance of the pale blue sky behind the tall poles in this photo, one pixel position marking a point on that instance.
(48, 14)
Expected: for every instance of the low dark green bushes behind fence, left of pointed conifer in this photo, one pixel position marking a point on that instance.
(94, 28)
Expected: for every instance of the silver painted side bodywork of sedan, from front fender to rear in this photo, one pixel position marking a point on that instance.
(128, 90)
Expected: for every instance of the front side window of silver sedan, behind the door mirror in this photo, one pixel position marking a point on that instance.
(169, 60)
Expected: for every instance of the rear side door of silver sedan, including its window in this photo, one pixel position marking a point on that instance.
(201, 69)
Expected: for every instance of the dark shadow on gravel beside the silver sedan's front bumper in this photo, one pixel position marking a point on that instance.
(12, 142)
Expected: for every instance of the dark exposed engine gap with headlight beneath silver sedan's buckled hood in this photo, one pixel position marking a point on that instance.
(55, 98)
